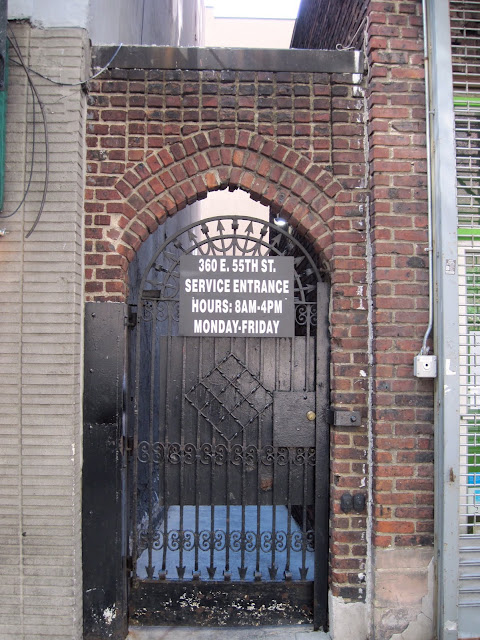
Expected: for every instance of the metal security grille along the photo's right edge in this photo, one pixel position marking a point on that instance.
(465, 33)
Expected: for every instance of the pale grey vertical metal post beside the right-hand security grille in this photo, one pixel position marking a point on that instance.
(447, 394)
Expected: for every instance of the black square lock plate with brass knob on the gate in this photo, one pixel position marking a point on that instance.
(293, 425)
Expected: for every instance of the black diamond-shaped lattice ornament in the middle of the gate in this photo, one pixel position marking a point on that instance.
(230, 397)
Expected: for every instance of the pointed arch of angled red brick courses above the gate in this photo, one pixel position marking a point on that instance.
(187, 171)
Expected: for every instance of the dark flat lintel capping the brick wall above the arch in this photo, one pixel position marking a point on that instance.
(220, 59)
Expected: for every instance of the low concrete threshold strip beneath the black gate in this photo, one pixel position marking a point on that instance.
(303, 632)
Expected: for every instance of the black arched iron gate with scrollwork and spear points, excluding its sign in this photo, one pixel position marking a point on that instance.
(229, 465)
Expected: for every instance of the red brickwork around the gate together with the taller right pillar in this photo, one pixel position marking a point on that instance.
(160, 140)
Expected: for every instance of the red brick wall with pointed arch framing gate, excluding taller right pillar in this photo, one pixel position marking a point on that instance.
(160, 140)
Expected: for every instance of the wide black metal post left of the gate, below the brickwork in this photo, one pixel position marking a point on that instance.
(103, 530)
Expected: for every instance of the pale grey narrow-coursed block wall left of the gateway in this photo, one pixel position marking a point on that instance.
(41, 318)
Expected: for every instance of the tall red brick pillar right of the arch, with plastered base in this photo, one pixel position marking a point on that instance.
(402, 404)
